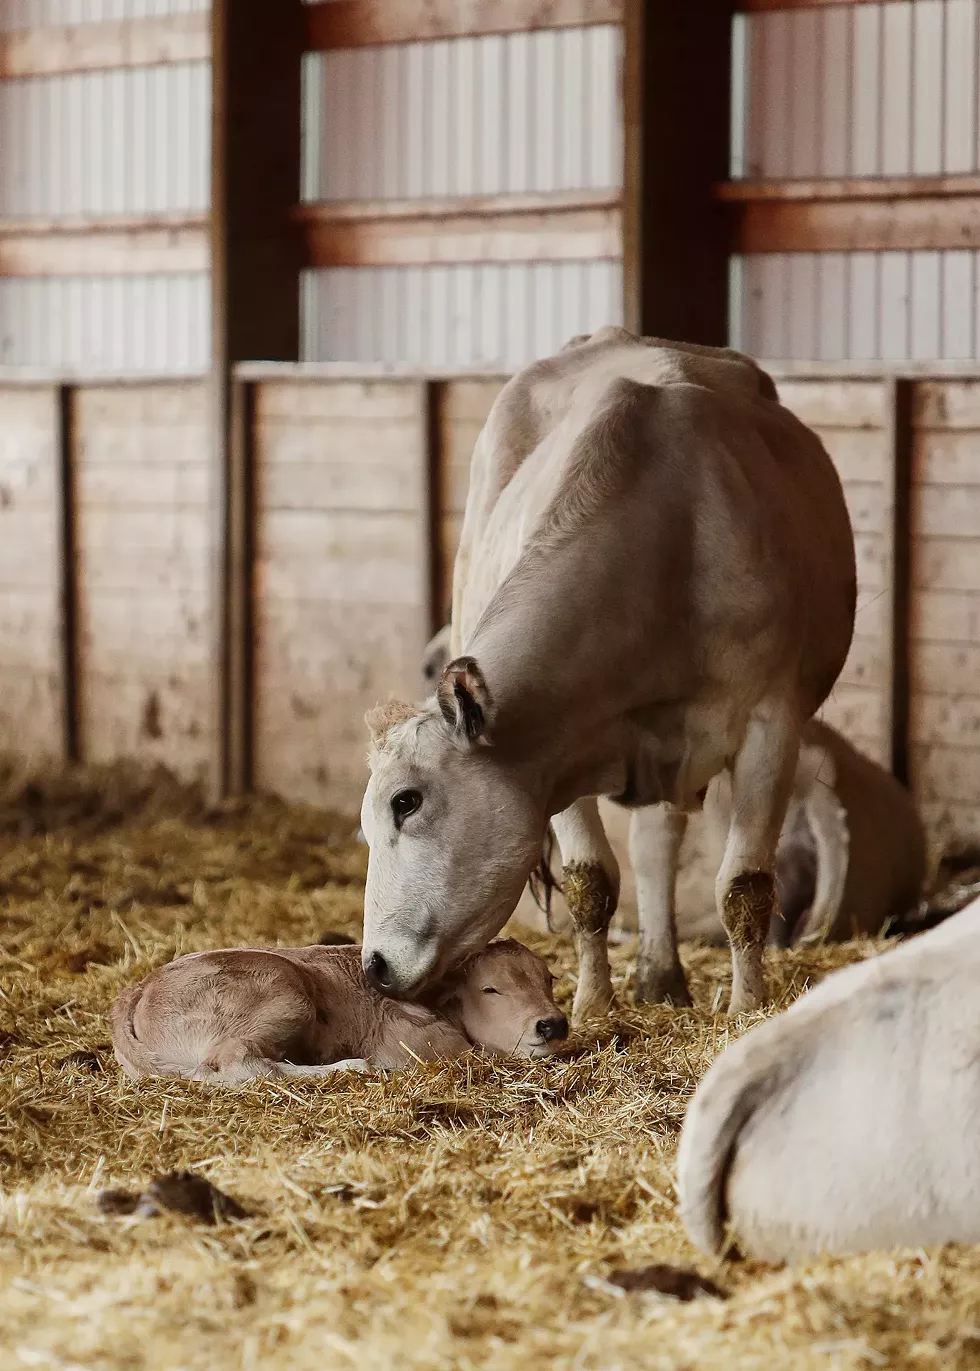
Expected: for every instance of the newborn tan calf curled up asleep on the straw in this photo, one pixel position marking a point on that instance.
(235, 1015)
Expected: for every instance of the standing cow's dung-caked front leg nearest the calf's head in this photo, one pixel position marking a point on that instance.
(591, 889)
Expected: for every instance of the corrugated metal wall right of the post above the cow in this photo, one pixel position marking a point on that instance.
(859, 91)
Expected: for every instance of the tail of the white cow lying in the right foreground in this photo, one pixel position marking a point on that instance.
(728, 1096)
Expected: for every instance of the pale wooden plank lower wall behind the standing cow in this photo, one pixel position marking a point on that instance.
(157, 608)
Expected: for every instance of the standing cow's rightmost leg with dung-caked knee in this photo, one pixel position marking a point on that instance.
(746, 890)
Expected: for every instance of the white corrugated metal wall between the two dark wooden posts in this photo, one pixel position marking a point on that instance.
(524, 113)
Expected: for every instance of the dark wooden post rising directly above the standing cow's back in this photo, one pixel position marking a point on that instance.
(678, 75)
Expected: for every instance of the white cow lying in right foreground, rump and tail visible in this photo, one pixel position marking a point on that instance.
(850, 1122)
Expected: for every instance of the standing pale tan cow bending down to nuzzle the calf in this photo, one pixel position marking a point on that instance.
(654, 582)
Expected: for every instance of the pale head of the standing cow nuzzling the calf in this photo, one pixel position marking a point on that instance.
(453, 837)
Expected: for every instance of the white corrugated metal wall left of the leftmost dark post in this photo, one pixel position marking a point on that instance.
(95, 145)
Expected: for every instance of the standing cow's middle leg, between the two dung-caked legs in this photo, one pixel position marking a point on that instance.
(656, 837)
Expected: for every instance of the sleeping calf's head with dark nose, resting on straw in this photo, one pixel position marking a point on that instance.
(504, 1002)
